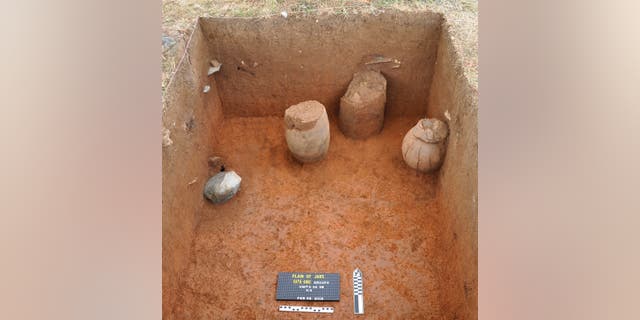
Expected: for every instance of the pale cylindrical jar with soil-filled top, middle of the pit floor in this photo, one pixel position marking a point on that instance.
(307, 131)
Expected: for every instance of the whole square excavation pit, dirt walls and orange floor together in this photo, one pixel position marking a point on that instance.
(413, 235)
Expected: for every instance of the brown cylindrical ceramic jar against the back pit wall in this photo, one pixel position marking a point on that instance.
(362, 106)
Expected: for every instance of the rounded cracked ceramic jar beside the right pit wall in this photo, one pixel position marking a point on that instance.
(423, 147)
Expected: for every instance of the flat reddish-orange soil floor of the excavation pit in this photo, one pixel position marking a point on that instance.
(360, 207)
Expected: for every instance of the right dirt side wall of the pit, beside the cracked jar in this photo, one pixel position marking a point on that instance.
(452, 95)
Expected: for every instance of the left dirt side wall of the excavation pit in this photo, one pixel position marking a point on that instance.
(191, 117)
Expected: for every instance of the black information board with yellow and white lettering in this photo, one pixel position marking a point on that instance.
(308, 286)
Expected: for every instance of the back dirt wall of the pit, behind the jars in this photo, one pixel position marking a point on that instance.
(271, 64)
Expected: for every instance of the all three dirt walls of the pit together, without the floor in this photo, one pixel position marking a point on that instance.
(265, 70)
